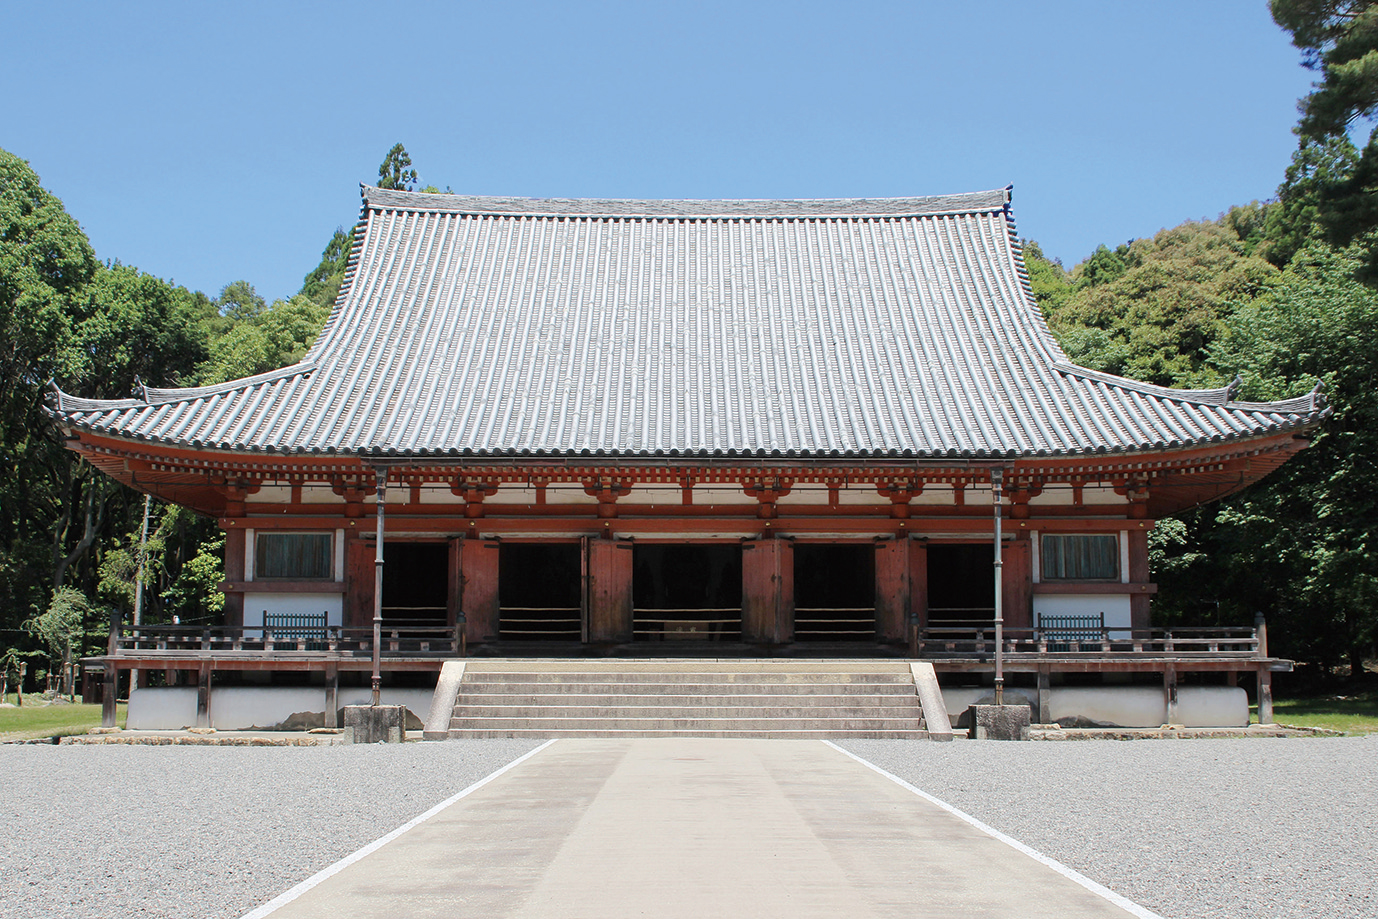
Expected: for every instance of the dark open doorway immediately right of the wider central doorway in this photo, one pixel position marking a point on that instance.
(834, 592)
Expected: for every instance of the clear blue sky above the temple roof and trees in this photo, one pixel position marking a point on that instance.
(214, 143)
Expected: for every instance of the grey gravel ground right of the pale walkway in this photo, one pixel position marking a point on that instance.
(1190, 829)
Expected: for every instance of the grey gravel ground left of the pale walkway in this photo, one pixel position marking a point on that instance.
(96, 833)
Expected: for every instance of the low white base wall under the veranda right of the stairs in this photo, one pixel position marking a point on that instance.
(1118, 706)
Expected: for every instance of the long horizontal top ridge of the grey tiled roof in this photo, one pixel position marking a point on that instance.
(687, 209)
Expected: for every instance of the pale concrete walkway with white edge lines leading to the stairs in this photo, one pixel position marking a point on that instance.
(701, 830)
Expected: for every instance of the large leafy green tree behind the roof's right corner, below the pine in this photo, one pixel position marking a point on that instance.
(1300, 545)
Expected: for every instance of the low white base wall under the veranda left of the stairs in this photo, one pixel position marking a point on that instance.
(261, 708)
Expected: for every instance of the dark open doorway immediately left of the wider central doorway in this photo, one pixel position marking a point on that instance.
(539, 592)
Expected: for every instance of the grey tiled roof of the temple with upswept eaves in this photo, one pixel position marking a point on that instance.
(883, 327)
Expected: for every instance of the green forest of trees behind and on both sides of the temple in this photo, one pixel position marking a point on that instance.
(1284, 294)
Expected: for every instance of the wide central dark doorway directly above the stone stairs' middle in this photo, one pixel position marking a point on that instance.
(687, 593)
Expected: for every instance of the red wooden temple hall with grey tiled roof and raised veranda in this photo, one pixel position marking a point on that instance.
(687, 429)
